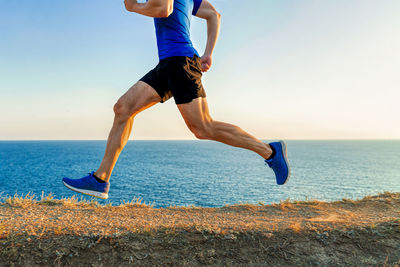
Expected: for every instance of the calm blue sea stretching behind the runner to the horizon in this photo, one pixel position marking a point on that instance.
(203, 173)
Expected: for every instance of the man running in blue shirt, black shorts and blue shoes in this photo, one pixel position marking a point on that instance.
(178, 74)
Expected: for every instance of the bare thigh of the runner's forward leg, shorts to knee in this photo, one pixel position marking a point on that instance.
(139, 97)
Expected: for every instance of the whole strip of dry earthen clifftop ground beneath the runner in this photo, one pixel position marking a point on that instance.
(71, 233)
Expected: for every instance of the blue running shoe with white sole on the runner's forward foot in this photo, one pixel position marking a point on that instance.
(88, 185)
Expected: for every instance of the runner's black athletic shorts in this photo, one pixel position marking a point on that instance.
(179, 77)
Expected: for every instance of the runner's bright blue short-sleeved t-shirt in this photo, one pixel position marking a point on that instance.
(173, 32)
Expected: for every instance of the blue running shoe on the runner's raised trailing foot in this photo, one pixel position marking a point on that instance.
(279, 163)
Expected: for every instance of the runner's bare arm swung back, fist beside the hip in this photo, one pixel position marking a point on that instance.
(209, 13)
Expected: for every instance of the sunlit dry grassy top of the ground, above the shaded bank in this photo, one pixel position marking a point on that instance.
(28, 214)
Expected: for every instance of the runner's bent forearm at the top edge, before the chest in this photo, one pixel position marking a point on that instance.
(152, 8)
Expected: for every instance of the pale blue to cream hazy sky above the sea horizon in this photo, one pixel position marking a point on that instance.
(286, 69)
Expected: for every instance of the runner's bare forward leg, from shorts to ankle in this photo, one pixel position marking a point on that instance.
(138, 98)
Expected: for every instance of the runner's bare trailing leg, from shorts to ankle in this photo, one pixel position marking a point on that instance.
(199, 121)
